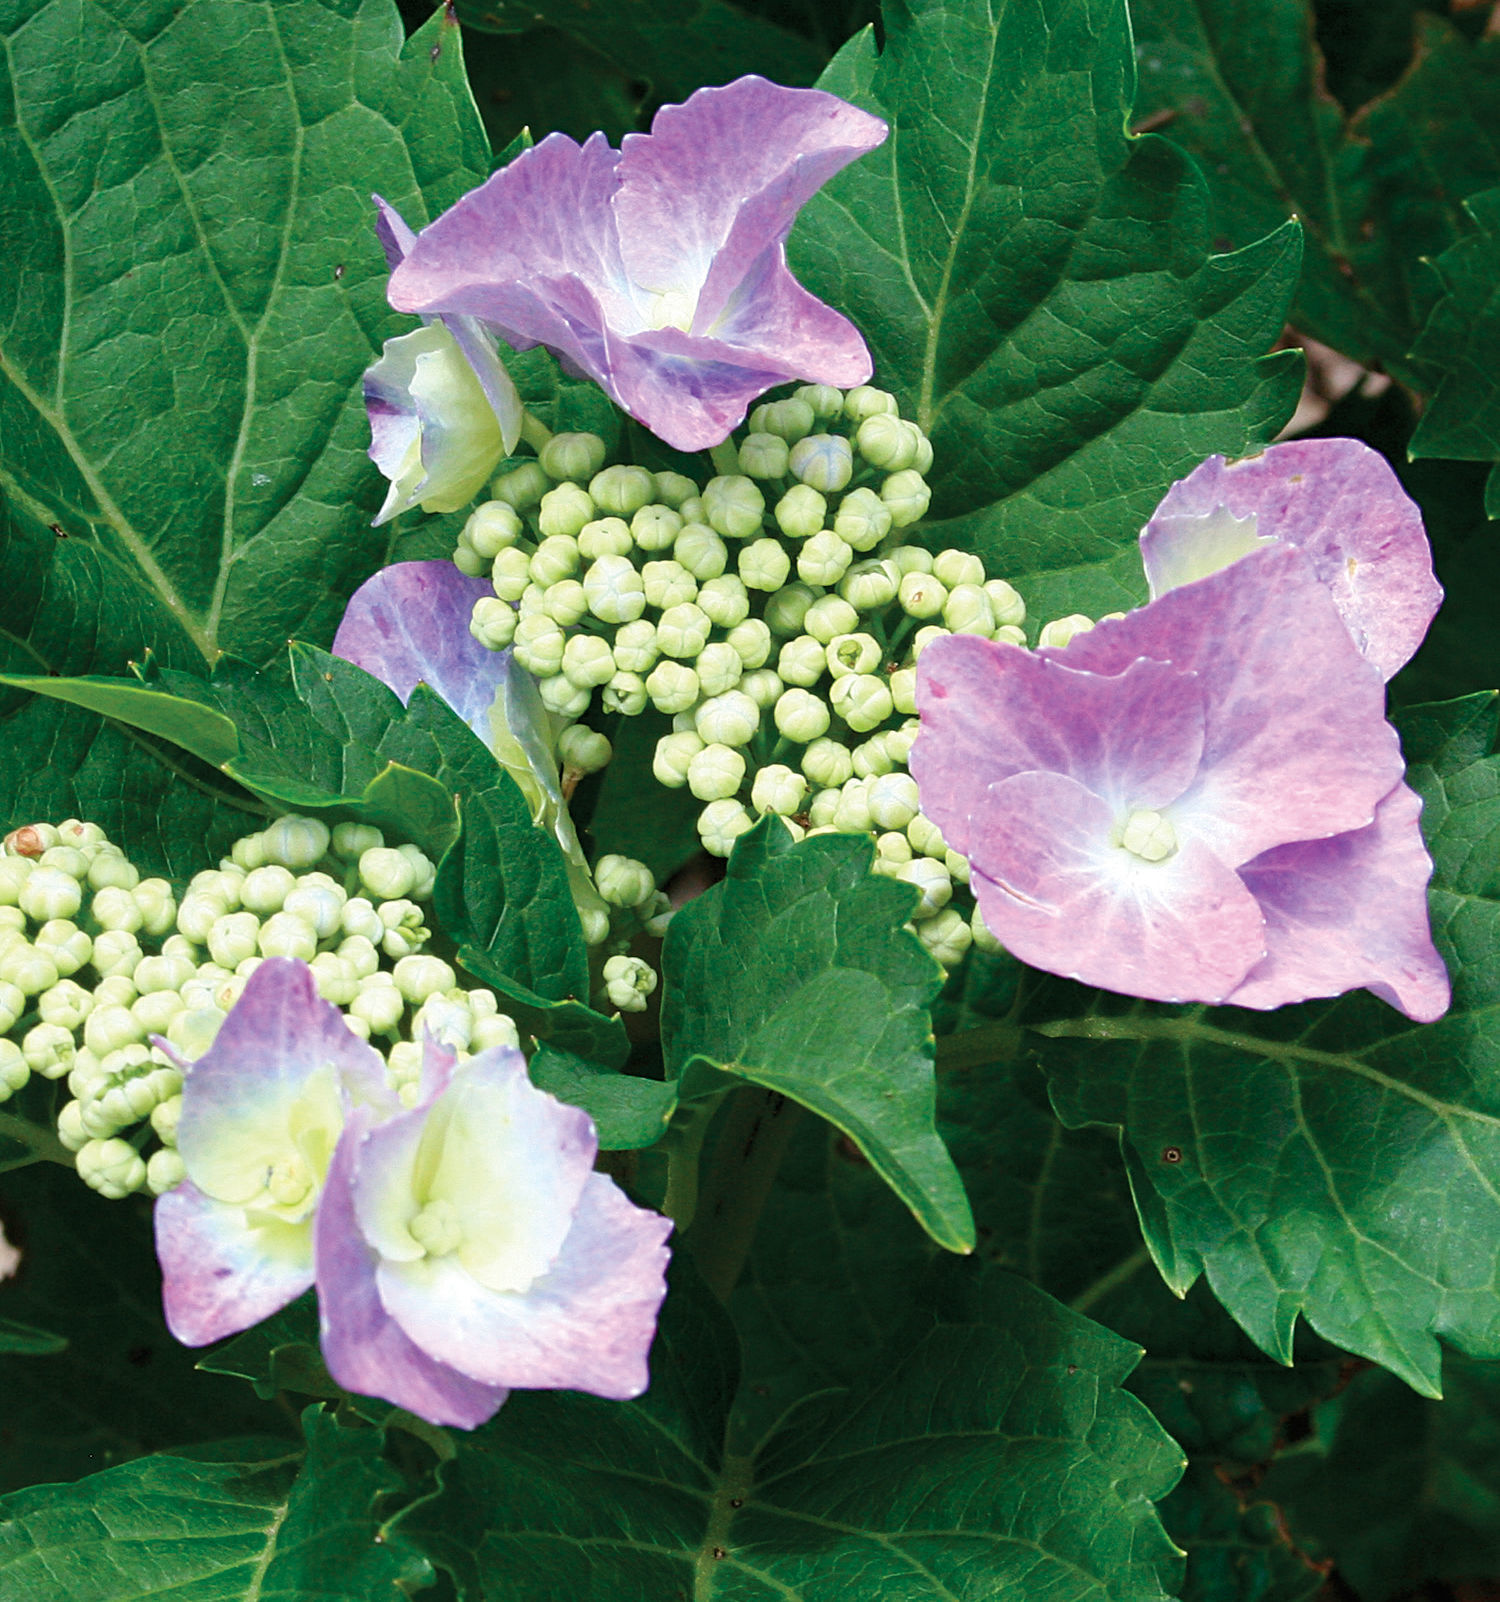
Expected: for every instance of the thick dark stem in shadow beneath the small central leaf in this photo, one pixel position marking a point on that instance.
(748, 1154)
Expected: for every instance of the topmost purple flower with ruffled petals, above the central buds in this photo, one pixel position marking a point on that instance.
(658, 270)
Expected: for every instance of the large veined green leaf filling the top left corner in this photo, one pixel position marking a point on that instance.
(200, 292)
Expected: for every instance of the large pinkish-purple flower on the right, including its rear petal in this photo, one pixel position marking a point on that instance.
(1201, 800)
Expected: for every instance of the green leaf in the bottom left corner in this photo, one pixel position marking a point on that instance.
(236, 1523)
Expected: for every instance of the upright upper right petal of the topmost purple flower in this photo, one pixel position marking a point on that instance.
(720, 180)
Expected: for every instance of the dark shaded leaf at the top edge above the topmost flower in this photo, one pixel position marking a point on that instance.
(677, 46)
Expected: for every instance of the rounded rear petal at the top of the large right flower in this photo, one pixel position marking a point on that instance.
(1344, 507)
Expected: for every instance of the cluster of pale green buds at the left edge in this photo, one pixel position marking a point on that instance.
(99, 962)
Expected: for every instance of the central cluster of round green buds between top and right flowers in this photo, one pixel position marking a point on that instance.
(776, 614)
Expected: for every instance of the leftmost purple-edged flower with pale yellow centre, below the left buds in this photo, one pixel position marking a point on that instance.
(262, 1114)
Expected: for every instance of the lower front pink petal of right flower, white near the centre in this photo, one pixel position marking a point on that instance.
(1062, 896)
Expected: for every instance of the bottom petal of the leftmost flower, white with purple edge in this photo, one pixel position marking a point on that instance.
(220, 1273)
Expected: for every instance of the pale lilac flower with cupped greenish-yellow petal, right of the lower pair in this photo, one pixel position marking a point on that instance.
(469, 1247)
